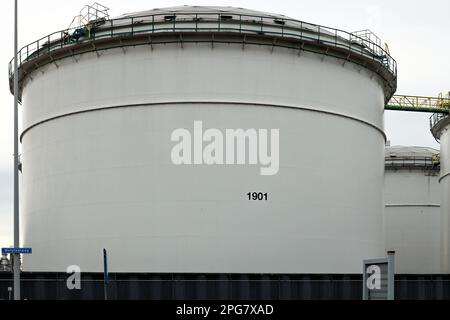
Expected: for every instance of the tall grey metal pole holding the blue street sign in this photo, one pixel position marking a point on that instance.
(16, 267)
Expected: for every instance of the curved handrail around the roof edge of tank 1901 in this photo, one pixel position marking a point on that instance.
(209, 22)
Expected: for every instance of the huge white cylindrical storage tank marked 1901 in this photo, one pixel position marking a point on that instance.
(99, 120)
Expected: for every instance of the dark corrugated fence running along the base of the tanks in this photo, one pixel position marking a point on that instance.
(52, 286)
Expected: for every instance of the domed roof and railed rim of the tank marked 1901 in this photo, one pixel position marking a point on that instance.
(203, 24)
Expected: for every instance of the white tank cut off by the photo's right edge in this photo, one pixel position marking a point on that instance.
(440, 127)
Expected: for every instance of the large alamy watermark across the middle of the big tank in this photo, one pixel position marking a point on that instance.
(229, 147)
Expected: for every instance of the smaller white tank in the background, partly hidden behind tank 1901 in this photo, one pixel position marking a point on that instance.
(412, 213)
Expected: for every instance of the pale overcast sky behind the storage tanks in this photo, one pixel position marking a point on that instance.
(416, 32)
